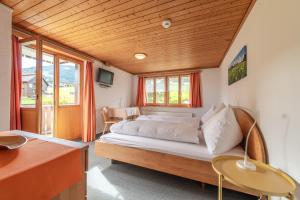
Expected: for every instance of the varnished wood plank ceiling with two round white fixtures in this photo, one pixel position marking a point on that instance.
(114, 30)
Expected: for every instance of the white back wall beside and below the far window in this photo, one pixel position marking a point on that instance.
(210, 83)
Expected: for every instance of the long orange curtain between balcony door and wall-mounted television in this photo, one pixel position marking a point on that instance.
(89, 107)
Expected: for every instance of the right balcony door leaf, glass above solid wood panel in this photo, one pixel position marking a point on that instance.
(68, 97)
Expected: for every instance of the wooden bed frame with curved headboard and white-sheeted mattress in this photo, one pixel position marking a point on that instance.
(184, 160)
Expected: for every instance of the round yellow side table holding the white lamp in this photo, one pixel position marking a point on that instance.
(265, 180)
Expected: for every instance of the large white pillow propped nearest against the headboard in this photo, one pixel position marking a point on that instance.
(222, 132)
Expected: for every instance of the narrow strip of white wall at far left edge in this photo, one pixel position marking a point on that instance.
(5, 67)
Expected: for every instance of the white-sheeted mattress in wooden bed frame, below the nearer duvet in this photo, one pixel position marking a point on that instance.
(188, 150)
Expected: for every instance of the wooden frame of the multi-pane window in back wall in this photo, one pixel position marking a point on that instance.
(166, 100)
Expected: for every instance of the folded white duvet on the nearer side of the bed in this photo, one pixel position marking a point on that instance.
(166, 130)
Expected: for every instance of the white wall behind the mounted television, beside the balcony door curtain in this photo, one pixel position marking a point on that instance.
(119, 95)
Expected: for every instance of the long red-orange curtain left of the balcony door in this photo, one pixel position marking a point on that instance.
(16, 86)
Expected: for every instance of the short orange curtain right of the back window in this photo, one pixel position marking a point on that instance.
(195, 90)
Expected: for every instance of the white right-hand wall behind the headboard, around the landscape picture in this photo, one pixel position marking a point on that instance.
(272, 35)
